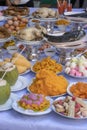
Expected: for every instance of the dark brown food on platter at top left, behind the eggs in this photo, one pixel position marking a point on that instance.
(13, 11)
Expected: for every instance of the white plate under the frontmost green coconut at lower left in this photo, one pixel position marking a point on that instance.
(8, 104)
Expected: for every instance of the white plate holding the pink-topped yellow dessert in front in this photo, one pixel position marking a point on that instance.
(30, 112)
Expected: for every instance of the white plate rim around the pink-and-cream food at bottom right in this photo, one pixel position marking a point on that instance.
(53, 108)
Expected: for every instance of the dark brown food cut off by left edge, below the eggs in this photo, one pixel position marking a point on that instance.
(4, 34)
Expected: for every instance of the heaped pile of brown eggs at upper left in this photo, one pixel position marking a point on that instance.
(16, 23)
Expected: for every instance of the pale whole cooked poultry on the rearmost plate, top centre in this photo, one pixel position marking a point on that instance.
(44, 13)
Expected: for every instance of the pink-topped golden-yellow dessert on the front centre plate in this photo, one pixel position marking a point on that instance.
(35, 102)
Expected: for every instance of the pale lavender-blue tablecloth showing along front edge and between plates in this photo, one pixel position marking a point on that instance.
(12, 120)
